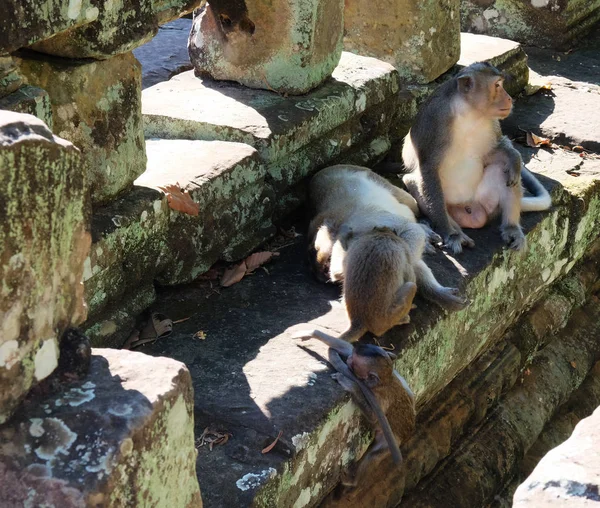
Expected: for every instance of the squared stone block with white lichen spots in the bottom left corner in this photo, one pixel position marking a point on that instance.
(121, 437)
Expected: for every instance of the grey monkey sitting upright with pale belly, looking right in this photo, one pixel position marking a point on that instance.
(463, 170)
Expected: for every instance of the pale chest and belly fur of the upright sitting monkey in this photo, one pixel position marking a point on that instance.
(462, 169)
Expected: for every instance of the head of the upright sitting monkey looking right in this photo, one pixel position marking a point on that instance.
(481, 85)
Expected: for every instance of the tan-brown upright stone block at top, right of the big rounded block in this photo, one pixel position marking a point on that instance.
(419, 38)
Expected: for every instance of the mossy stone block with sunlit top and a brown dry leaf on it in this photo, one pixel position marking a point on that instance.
(139, 238)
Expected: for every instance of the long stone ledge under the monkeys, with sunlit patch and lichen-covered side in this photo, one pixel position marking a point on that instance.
(253, 380)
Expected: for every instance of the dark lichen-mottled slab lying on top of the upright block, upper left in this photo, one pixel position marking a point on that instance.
(119, 28)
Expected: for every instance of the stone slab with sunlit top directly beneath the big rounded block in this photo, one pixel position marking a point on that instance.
(188, 107)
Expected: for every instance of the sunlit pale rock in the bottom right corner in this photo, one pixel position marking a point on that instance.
(569, 475)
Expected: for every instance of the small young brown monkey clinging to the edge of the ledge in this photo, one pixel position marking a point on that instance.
(380, 392)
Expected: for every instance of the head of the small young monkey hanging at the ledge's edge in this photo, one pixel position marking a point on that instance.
(371, 364)
